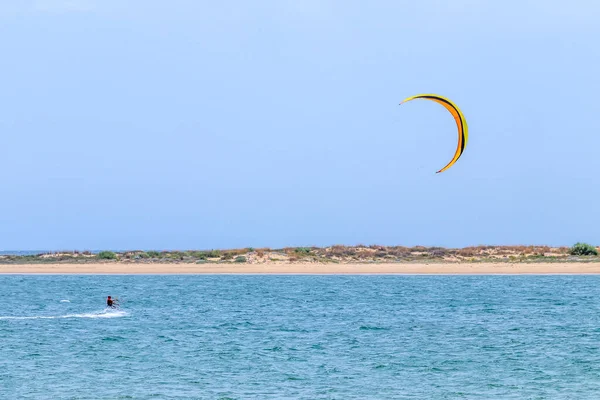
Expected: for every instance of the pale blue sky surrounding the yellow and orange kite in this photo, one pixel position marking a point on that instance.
(215, 124)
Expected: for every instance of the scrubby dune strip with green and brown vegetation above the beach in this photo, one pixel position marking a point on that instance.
(580, 252)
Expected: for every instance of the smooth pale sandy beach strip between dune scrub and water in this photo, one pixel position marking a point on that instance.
(306, 268)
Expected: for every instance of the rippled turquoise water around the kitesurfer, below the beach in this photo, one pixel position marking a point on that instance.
(300, 337)
